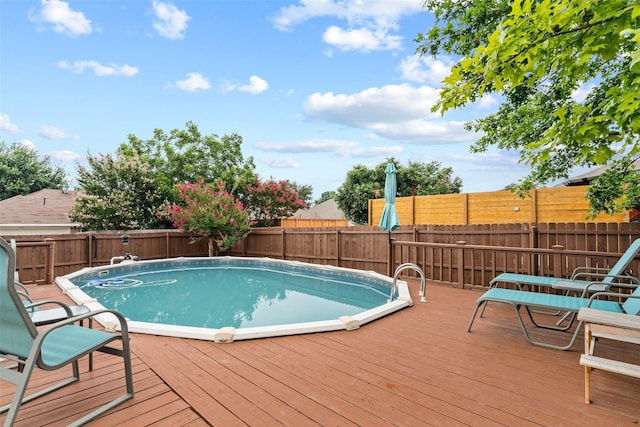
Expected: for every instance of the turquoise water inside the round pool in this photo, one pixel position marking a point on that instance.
(219, 296)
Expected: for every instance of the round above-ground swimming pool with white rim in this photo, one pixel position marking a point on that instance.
(192, 297)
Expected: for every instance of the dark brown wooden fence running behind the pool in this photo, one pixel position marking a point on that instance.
(463, 256)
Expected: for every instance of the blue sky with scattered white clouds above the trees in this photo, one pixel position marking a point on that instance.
(314, 87)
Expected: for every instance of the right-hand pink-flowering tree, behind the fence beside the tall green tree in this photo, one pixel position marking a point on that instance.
(271, 200)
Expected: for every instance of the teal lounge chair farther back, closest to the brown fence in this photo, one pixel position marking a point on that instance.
(582, 280)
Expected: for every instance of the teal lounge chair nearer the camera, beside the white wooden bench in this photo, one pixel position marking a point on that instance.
(563, 303)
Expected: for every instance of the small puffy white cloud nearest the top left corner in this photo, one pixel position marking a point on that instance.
(63, 19)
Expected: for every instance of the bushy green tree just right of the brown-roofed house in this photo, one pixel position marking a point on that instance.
(117, 194)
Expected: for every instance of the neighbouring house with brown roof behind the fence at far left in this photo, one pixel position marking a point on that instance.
(42, 212)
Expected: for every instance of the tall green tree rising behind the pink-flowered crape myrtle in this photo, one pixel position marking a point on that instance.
(188, 155)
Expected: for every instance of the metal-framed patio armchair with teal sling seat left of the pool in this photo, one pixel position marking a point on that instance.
(55, 346)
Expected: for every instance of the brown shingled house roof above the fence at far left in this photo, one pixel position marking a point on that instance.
(41, 207)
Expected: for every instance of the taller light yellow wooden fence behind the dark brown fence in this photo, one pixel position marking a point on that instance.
(557, 204)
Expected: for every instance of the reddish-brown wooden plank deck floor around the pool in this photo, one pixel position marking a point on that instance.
(415, 367)
